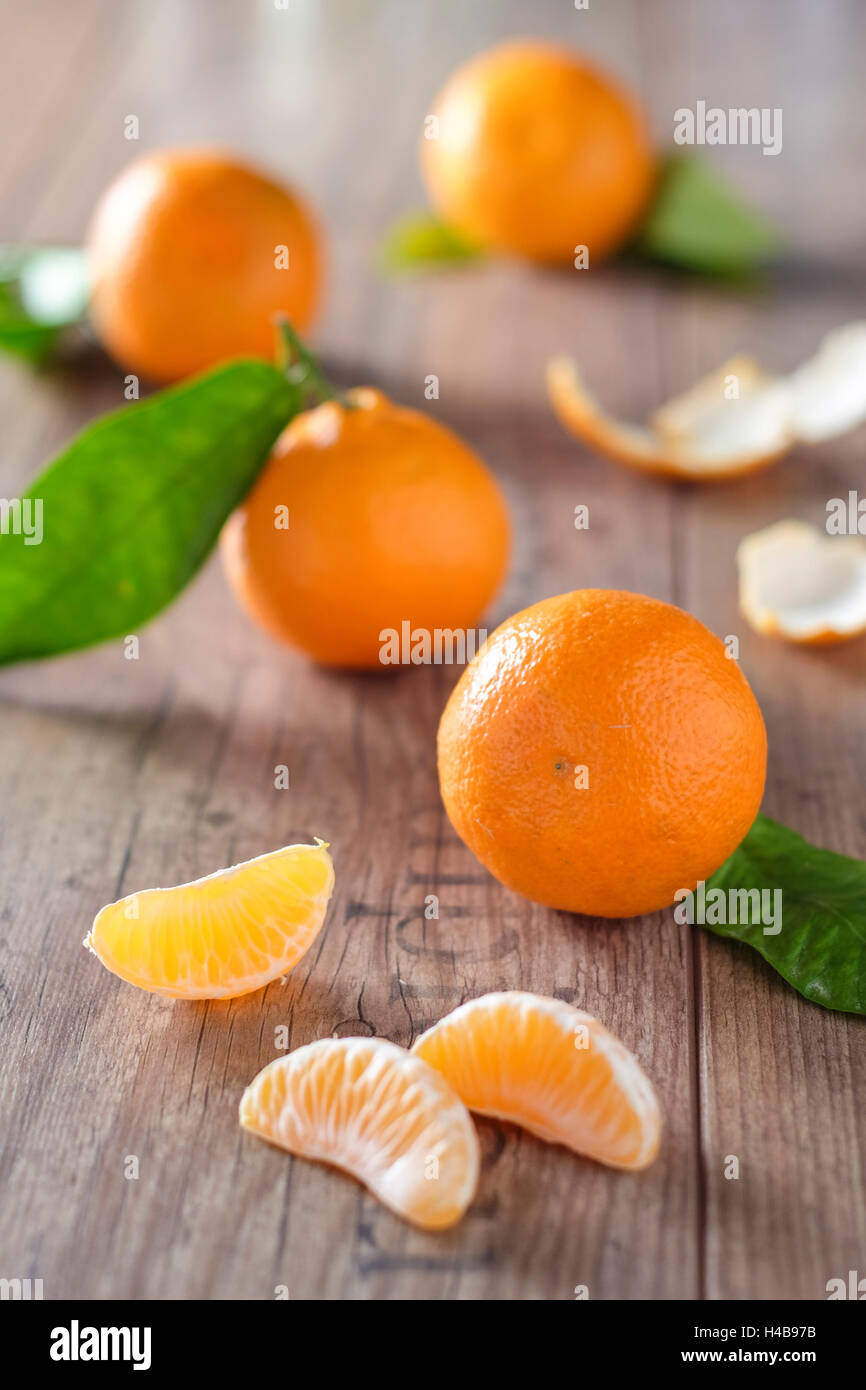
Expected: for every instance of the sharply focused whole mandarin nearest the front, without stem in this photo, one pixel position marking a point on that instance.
(603, 753)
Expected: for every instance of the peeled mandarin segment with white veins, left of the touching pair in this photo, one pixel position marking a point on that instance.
(377, 1113)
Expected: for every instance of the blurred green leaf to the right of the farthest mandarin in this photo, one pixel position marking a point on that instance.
(700, 223)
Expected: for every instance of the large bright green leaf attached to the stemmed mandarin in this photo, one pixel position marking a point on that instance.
(133, 508)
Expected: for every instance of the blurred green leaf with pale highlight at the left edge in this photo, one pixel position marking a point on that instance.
(42, 293)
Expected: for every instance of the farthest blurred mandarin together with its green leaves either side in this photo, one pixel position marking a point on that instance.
(533, 149)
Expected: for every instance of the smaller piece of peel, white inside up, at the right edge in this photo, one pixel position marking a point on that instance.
(801, 584)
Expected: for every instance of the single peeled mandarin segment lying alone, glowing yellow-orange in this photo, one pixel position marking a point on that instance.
(222, 936)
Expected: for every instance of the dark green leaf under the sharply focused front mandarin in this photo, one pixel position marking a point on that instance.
(822, 946)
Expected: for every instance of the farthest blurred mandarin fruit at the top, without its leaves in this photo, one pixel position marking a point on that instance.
(537, 154)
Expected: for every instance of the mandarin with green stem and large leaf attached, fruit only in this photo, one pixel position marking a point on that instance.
(391, 519)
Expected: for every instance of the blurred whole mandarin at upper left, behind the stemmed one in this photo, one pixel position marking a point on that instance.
(186, 250)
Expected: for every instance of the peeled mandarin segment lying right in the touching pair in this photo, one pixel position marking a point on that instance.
(553, 1070)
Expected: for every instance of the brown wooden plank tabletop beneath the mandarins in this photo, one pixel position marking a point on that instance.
(120, 775)
